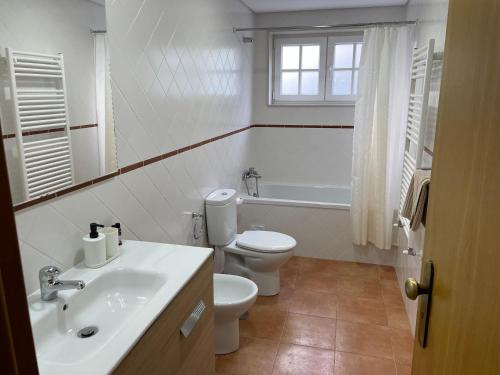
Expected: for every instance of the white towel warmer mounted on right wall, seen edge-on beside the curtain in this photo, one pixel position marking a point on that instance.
(421, 69)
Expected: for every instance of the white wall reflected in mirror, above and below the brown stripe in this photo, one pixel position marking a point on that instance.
(55, 26)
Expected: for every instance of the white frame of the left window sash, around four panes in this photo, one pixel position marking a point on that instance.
(299, 41)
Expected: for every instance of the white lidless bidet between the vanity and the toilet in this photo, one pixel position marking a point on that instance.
(233, 296)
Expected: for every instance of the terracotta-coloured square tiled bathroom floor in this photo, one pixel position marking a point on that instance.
(331, 317)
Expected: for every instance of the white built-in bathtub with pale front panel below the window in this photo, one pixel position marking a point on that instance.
(317, 217)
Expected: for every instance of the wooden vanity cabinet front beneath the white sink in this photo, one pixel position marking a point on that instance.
(163, 349)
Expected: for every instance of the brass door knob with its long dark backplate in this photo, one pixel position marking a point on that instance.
(413, 289)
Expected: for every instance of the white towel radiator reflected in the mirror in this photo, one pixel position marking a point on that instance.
(38, 92)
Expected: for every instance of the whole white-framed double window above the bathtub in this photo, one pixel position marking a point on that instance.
(315, 69)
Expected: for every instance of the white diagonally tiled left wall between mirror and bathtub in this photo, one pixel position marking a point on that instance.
(179, 76)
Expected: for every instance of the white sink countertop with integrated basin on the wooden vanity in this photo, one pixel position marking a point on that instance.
(121, 299)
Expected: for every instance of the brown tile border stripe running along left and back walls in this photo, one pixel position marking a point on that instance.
(156, 159)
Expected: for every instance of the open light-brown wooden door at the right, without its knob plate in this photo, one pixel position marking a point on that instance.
(463, 226)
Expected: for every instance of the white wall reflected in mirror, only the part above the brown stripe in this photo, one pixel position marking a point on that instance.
(57, 26)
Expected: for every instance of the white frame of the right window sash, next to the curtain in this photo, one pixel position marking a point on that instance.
(332, 41)
